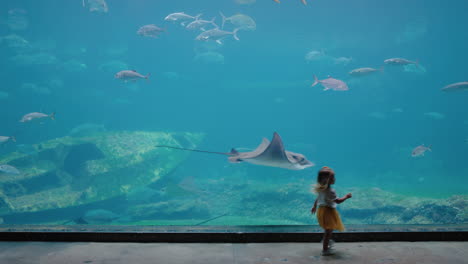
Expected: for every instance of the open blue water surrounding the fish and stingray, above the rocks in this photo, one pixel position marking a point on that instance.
(366, 134)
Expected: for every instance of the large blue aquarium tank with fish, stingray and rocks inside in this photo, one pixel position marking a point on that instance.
(222, 112)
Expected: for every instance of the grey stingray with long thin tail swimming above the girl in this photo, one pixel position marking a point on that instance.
(272, 154)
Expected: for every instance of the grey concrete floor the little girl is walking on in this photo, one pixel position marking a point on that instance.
(282, 253)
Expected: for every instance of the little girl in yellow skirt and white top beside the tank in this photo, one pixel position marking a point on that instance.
(327, 215)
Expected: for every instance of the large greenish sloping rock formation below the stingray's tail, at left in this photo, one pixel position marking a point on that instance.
(72, 171)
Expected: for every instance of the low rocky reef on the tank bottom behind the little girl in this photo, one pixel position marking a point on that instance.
(291, 204)
